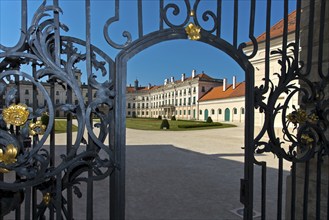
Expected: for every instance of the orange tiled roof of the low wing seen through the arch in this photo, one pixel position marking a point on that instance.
(218, 93)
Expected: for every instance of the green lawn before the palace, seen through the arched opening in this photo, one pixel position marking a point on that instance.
(154, 124)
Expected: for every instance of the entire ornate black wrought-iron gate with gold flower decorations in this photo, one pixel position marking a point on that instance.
(41, 179)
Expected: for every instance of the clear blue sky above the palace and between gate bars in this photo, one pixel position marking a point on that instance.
(161, 61)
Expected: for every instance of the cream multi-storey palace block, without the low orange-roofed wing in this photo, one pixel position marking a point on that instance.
(174, 98)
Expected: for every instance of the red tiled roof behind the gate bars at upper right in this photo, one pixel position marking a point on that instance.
(277, 29)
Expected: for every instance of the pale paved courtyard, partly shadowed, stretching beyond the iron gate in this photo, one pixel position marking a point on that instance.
(182, 175)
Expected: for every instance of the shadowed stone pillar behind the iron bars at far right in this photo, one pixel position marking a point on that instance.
(312, 176)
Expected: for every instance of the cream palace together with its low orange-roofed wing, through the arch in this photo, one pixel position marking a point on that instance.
(189, 98)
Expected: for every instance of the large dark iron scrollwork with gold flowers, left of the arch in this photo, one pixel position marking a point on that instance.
(19, 123)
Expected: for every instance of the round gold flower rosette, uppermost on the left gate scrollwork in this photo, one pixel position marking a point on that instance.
(16, 114)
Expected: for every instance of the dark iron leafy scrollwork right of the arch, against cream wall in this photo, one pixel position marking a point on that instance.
(303, 127)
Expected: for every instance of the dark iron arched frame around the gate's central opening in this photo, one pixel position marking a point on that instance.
(135, 47)
